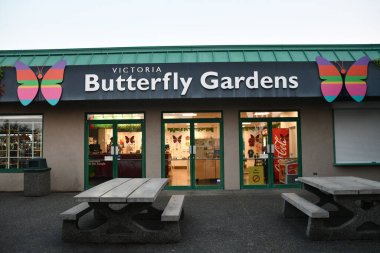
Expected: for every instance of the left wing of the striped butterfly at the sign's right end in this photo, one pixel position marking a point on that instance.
(332, 80)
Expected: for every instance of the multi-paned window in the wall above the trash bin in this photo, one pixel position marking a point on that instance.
(20, 140)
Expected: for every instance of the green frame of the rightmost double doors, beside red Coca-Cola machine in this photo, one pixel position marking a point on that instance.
(269, 121)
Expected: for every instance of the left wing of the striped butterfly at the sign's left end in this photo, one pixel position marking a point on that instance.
(28, 88)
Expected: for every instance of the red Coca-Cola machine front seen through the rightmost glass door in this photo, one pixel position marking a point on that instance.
(280, 140)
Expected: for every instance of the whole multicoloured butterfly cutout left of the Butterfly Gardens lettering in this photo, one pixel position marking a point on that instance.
(29, 84)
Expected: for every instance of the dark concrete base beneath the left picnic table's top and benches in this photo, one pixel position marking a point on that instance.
(136, 222)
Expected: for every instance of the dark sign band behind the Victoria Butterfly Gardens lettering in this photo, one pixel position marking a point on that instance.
(189, 80)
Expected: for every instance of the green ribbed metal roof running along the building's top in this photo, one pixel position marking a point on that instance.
(184, 54)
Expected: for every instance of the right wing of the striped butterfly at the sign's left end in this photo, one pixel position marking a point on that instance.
(50, 88)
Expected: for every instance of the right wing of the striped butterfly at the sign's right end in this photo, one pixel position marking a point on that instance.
(354, 82)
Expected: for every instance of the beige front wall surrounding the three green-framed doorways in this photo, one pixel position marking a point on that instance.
(64, 136)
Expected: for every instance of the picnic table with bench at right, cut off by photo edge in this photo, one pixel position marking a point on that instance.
(348, 208)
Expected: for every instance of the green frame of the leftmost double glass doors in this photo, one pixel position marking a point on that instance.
(114, 124)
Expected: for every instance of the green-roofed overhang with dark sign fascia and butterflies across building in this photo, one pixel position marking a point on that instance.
(183, 72)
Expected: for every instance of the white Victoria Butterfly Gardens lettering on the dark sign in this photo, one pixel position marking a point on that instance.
(129, 79)
